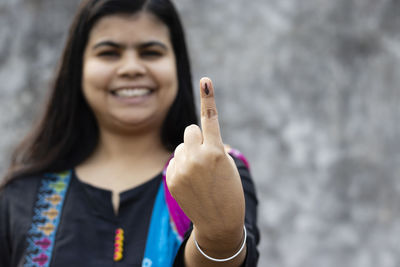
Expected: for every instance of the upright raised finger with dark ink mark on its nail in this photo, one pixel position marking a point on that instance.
(209, 113)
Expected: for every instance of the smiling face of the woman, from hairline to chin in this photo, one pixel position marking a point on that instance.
(129, 72)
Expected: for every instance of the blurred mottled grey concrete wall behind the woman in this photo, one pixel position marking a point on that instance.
(308, 90)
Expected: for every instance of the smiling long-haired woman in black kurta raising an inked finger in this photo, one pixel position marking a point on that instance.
(117, 172)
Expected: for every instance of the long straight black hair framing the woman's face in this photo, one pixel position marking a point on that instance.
(67, 132)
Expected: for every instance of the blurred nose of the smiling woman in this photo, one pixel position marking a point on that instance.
(131, 66)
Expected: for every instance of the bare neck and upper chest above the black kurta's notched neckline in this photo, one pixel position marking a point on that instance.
(122, 161)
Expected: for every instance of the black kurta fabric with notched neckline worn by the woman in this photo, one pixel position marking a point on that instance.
(86, 232)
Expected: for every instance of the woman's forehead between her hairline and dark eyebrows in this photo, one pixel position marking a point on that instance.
(142, 26)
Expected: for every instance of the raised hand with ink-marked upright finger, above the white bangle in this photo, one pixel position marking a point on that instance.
(204, 180)
